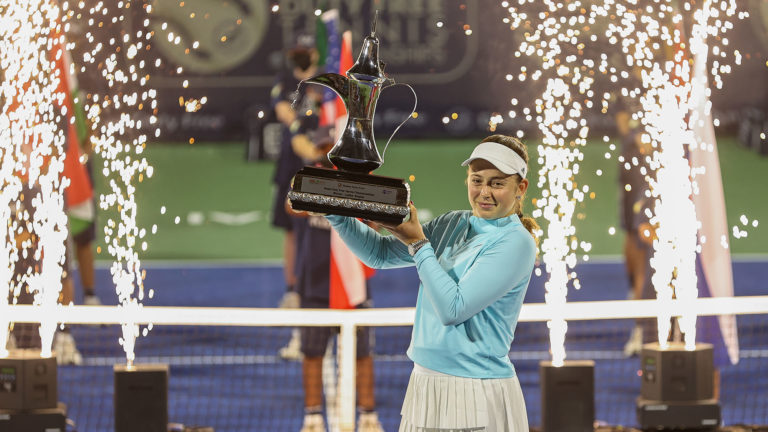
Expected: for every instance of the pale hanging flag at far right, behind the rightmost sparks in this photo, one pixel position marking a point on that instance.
(713, 263)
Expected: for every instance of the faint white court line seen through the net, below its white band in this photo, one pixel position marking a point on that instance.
(387, 358)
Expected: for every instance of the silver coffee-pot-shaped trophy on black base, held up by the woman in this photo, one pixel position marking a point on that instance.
(352, 190)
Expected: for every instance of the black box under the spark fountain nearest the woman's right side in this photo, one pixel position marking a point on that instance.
(567, 396)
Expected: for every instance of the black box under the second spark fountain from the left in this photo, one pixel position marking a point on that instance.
(141, 398)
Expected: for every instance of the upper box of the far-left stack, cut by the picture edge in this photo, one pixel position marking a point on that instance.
(27, 381)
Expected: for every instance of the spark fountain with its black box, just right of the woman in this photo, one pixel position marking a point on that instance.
(554, 45)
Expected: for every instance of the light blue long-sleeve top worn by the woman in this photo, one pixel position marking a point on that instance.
(474, 274)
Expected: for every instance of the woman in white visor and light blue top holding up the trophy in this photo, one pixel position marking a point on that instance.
(474, 267)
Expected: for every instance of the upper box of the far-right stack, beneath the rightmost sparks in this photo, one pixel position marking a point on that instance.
(677, 374)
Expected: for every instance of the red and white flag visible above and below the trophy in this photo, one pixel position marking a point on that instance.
(348, 275)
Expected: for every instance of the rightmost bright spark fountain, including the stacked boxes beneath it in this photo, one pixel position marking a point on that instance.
(676, 108)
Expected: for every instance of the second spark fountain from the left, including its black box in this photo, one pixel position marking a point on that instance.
(116, 44)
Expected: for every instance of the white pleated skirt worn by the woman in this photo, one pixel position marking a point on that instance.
(436, 402)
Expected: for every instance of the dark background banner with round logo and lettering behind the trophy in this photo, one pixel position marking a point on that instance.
(457, 55)
